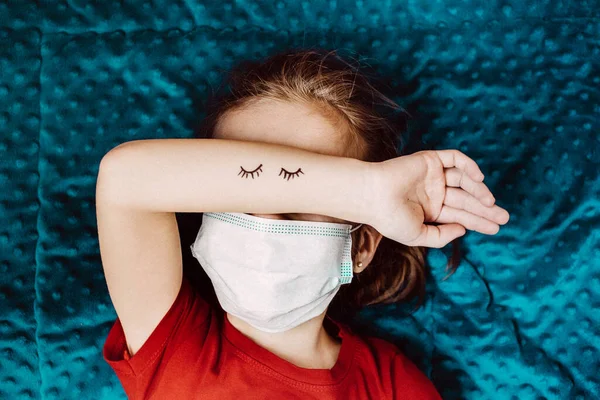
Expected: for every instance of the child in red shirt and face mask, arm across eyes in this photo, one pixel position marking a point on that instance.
(288, 162)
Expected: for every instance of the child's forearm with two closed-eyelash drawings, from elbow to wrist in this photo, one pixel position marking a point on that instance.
(206, 175)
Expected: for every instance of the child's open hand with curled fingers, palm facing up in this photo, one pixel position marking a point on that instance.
(441, 186)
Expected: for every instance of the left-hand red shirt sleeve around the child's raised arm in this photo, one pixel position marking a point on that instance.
(188, 312)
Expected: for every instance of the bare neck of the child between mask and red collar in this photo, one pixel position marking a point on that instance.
(307, 346)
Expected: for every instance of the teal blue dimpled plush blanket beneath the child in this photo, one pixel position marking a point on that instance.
(513, 84)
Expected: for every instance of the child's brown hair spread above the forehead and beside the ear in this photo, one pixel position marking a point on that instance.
(351, 102)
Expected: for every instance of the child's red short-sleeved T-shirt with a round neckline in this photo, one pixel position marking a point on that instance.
(195, 353)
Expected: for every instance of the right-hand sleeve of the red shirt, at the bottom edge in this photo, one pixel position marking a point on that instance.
(409, 382)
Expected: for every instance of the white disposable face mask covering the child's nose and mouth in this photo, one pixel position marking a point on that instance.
(273, 274)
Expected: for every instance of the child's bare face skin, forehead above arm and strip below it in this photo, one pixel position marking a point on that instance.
(288, 124)
